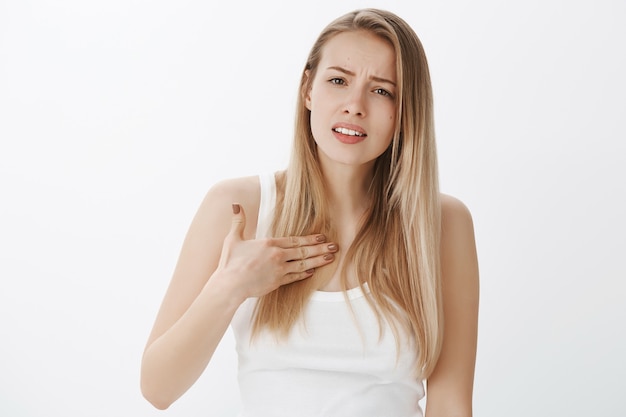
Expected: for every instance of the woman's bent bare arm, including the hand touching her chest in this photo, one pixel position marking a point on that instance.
(216, 271)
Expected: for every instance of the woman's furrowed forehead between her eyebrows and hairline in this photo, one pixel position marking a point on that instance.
(358, 51)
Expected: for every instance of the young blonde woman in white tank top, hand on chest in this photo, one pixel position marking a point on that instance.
(348, 278)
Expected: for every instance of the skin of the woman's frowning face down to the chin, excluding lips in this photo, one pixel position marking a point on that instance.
(348, 91)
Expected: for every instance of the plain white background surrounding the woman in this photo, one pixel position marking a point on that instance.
(116, 117)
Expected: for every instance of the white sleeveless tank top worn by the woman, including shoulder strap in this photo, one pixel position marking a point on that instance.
(332, 364)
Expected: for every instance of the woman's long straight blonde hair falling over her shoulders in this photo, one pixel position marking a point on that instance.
(396, 251)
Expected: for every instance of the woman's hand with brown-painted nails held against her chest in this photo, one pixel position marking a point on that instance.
(257, 267)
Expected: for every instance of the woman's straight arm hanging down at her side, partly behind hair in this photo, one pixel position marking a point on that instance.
(450, 386)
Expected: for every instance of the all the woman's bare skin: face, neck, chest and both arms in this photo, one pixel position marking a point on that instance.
(221, 264)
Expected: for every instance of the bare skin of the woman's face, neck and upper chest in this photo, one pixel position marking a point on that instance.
(348, 91)
